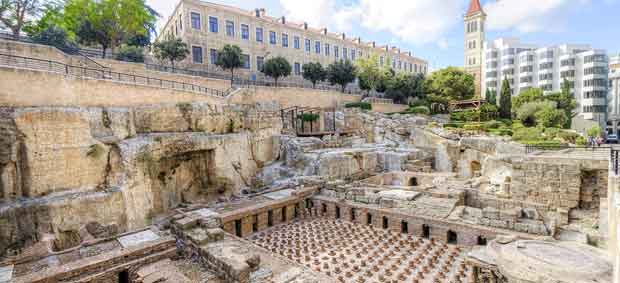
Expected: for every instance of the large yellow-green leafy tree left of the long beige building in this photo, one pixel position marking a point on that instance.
(108, 23)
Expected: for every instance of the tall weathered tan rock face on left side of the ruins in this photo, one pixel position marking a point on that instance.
(62, 168)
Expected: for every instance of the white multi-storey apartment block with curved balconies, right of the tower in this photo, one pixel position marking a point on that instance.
(529, 66)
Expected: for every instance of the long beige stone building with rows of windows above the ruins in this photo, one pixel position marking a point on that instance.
(207, 27)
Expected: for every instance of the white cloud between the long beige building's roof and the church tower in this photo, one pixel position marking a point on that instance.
(413, 21)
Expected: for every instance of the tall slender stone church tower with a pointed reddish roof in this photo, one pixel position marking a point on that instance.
(474, 42)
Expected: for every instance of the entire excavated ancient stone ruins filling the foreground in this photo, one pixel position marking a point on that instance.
(233, 191)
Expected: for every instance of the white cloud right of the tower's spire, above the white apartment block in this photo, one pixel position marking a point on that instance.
(529, 15)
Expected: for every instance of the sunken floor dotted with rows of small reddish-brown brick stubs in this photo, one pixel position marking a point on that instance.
(356, 253)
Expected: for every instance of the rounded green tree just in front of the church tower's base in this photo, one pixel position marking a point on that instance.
(452, 83)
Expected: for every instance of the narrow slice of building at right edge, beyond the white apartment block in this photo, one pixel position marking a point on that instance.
(613, 97)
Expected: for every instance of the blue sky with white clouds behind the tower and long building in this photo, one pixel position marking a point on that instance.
(433, 29)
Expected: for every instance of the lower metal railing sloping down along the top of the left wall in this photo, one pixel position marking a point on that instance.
(103, 74)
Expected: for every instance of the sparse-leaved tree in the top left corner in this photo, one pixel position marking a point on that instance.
(15, 14)
